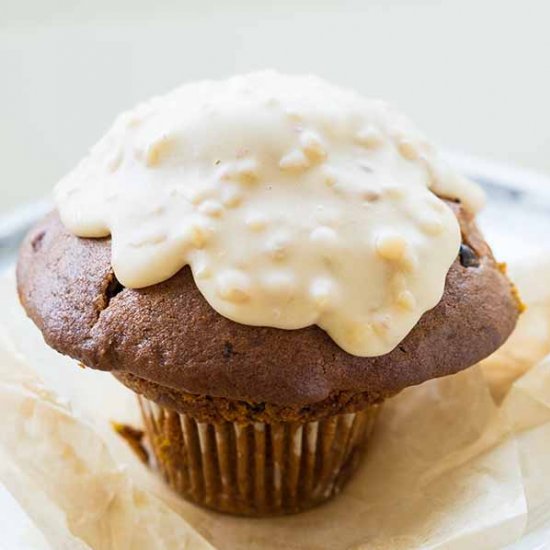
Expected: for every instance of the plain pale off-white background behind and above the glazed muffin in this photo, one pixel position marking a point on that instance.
(474, 74)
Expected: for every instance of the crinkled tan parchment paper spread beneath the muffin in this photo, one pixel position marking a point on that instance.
(460, 462)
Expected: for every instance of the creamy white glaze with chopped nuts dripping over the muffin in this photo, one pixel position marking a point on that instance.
(294, 202)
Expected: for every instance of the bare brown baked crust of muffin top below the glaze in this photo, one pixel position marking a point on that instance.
(168, 337)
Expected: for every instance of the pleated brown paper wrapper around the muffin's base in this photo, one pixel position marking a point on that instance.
(256, 469)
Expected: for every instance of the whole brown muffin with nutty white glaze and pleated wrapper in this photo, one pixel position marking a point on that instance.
(263, 261)
